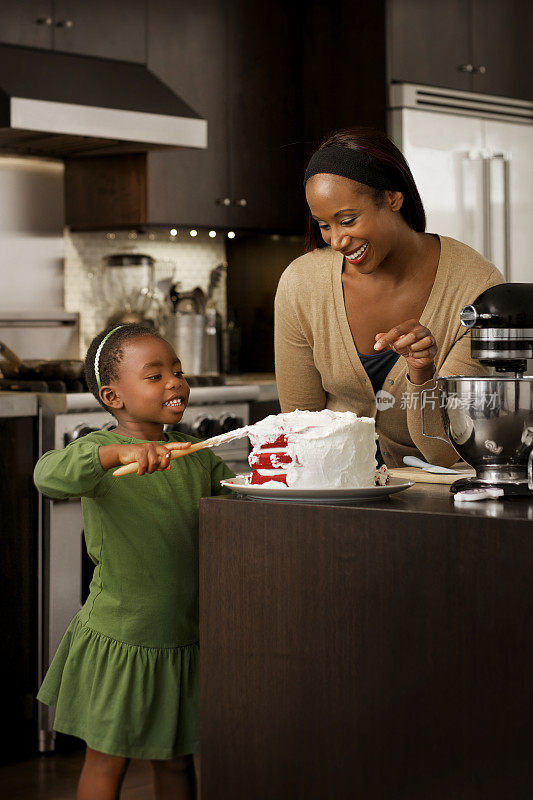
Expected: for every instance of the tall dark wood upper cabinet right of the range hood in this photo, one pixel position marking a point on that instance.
(238, 65)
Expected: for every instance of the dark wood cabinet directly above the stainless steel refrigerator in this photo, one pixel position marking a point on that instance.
(474, 45)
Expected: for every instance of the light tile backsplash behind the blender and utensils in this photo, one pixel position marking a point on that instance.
(185, 260)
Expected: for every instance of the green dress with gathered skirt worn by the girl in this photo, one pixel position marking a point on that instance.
(125, 675)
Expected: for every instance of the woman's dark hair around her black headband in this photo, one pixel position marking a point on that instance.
(379, 145)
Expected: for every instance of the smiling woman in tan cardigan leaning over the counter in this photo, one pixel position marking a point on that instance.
(366, 320)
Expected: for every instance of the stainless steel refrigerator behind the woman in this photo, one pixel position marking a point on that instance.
(471, 156)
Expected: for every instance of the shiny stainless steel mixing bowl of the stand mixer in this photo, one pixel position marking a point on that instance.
(489, 421)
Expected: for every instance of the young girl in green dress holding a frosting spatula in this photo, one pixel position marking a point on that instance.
(125, 676)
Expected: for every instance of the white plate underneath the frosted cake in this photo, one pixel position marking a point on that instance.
(260, 492)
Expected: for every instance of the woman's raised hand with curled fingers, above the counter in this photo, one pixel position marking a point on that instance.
(416, 344)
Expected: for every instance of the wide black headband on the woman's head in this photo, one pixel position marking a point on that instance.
(357, 165)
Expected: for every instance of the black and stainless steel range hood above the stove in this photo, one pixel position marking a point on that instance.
(61, 105)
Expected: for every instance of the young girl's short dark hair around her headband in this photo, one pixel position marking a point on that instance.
(111, 355)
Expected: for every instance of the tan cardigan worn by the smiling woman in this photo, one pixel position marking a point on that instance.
(317, 365)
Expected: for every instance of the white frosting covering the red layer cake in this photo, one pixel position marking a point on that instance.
(329, 449)
